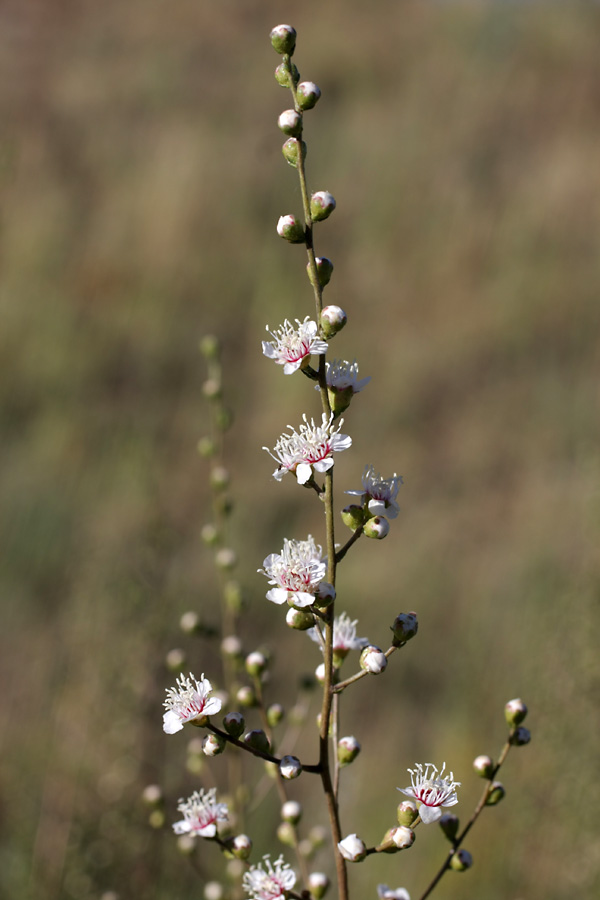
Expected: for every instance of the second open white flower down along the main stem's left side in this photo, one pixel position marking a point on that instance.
(311, 446)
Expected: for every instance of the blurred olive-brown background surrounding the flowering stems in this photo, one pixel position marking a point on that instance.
(142, 181)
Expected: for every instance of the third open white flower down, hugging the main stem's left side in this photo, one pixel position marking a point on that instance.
(297, 571)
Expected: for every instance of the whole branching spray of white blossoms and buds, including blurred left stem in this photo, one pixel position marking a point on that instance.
(302, 576)
